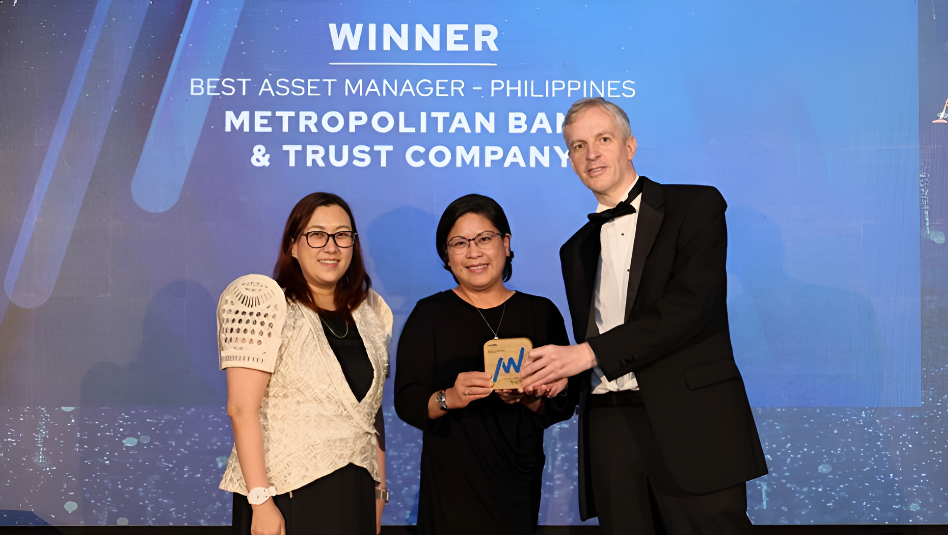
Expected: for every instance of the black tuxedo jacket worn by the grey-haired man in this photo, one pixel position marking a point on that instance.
(675, 338)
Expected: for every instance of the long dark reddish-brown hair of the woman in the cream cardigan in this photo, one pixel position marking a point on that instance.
(352, 288)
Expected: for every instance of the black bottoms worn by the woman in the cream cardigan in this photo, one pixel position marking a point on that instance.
(342, 503)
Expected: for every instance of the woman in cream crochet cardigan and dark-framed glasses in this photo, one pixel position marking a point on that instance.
(306, 358)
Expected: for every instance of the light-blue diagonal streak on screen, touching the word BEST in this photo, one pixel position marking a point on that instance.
(177, 124)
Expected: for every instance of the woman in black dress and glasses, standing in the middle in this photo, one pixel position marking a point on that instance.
(482, 456)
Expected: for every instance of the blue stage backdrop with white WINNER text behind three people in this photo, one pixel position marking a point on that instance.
(152, 151)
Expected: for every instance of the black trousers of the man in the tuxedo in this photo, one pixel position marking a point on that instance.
(634, 492)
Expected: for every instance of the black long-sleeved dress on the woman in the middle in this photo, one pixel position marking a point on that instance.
(481, 466)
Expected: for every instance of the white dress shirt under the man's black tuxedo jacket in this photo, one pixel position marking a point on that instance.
(612, 283)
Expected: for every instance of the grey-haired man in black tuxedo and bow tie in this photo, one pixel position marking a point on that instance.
(667, 437)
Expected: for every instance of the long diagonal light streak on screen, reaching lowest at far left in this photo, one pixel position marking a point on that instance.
(74, 149)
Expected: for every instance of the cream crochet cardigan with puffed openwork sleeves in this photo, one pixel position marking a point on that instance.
(312, 423)
